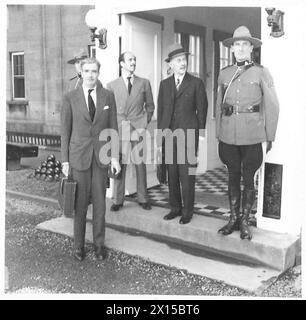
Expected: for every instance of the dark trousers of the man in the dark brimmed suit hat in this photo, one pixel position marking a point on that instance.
(179, 178)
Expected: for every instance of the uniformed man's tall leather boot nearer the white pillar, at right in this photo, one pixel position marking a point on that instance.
(248, 199)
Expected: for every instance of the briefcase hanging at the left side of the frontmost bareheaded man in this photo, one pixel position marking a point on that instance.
(66, 197)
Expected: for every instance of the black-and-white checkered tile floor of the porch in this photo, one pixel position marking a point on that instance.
(212, 181)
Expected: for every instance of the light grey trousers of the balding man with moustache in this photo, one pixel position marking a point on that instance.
(141, 180)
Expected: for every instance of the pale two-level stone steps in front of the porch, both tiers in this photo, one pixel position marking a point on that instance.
(195, 247)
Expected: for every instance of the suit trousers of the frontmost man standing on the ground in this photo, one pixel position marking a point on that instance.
(91, 182)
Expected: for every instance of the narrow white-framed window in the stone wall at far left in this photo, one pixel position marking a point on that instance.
(18, 82)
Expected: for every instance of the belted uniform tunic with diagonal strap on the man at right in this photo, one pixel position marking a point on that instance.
(253, 85)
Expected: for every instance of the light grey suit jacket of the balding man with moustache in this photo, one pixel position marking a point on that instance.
(133, 107)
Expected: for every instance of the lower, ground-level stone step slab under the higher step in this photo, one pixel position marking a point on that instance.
(250, 278)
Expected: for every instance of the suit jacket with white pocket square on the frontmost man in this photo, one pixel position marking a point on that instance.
(79, 135)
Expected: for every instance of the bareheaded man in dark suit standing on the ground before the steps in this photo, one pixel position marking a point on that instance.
(88, 111)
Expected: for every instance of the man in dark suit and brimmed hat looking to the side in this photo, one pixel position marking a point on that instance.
(182, 106)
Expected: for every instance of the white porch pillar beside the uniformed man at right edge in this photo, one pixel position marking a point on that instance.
(285, 59)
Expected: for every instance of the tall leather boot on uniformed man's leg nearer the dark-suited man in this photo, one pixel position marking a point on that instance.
(234, 221)
